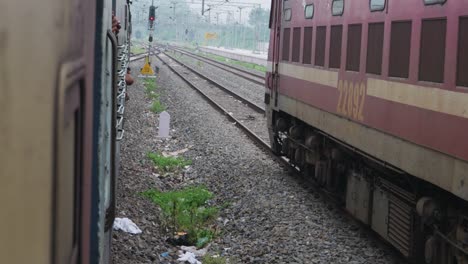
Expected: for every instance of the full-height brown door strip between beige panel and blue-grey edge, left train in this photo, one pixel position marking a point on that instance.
(73, 153)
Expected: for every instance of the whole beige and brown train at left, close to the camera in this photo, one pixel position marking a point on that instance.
(62, 104)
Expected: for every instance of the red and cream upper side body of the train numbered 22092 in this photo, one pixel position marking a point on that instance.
(414, 125)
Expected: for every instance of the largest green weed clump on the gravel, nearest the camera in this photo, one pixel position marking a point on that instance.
(187, 210)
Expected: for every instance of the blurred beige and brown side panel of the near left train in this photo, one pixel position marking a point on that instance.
(46, 120)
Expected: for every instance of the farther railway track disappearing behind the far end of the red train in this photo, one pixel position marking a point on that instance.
(245, 74)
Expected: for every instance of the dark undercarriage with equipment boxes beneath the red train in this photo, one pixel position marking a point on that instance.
(423, 222)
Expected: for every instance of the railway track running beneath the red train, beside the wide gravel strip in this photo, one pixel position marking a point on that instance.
(252, 121)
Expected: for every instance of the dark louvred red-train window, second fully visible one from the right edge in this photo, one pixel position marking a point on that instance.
(400, 44)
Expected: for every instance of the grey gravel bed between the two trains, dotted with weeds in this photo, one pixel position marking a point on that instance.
(269, 217)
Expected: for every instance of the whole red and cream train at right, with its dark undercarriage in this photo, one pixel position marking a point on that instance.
(369, 100)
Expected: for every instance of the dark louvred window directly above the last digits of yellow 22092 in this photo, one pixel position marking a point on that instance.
(353, 47)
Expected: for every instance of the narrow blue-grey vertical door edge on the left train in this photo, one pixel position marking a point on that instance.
(104, 156)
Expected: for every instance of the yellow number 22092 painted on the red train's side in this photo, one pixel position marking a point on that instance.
(351, 99)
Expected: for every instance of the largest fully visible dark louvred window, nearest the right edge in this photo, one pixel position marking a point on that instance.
(432, 50)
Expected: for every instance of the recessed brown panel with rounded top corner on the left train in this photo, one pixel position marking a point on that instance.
(69, 173)
